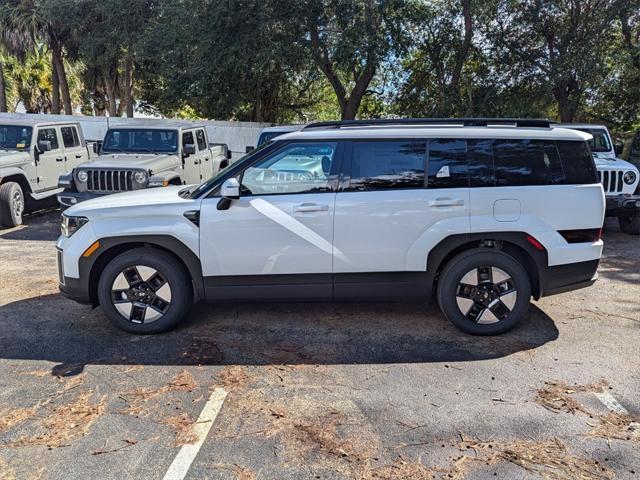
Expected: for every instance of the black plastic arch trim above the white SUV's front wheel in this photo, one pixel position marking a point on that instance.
(111, 247)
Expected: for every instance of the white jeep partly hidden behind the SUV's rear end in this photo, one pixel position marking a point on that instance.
(620, 179)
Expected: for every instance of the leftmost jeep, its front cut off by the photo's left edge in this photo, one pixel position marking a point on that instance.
(32, 156)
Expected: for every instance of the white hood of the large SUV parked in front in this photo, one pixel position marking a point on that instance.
(150, 197)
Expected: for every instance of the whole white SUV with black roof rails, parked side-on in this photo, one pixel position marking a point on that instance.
(486, 213)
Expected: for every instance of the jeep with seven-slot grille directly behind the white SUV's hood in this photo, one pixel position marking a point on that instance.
(139, 157)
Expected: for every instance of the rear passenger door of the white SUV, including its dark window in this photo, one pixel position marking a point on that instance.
(398, 199)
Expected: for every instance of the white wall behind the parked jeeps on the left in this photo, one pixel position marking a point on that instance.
(237, 135)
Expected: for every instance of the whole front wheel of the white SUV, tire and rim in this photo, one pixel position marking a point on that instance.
(159, 284)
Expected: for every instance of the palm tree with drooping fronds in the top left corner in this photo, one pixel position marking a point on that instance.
(26, 18)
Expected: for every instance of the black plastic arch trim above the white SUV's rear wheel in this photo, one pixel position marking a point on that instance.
(512, 243)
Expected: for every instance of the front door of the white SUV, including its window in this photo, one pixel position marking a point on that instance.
(276, 239)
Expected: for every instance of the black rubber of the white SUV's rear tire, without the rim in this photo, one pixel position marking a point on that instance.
(459, 266)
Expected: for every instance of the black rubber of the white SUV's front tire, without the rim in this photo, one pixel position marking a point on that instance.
(171, 269)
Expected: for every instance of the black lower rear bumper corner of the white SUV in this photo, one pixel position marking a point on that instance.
(564, 278)
